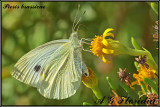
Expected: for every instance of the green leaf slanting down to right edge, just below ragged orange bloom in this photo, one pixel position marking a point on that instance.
(151, 84)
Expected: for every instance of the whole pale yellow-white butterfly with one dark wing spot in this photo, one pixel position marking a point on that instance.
(54, 68)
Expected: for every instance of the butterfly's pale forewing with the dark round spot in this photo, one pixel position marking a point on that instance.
(29, 67)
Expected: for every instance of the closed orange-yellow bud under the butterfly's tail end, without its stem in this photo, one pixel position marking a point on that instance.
(91, 81)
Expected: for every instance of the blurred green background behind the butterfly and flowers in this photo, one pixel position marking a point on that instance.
(25, 29)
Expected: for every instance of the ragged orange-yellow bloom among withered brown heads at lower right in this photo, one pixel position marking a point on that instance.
(143, 73)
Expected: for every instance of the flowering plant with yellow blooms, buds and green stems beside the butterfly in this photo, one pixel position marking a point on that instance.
(103, 46)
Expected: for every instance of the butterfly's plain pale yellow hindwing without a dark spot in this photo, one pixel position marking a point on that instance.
(62, 76)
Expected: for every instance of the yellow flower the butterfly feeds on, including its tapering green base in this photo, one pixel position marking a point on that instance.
(103, 48)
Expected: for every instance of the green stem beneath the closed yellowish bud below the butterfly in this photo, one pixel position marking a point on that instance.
(99, 95)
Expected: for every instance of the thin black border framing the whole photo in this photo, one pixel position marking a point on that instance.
(70, 1)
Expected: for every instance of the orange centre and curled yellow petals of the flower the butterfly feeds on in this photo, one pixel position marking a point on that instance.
(100, 46)
